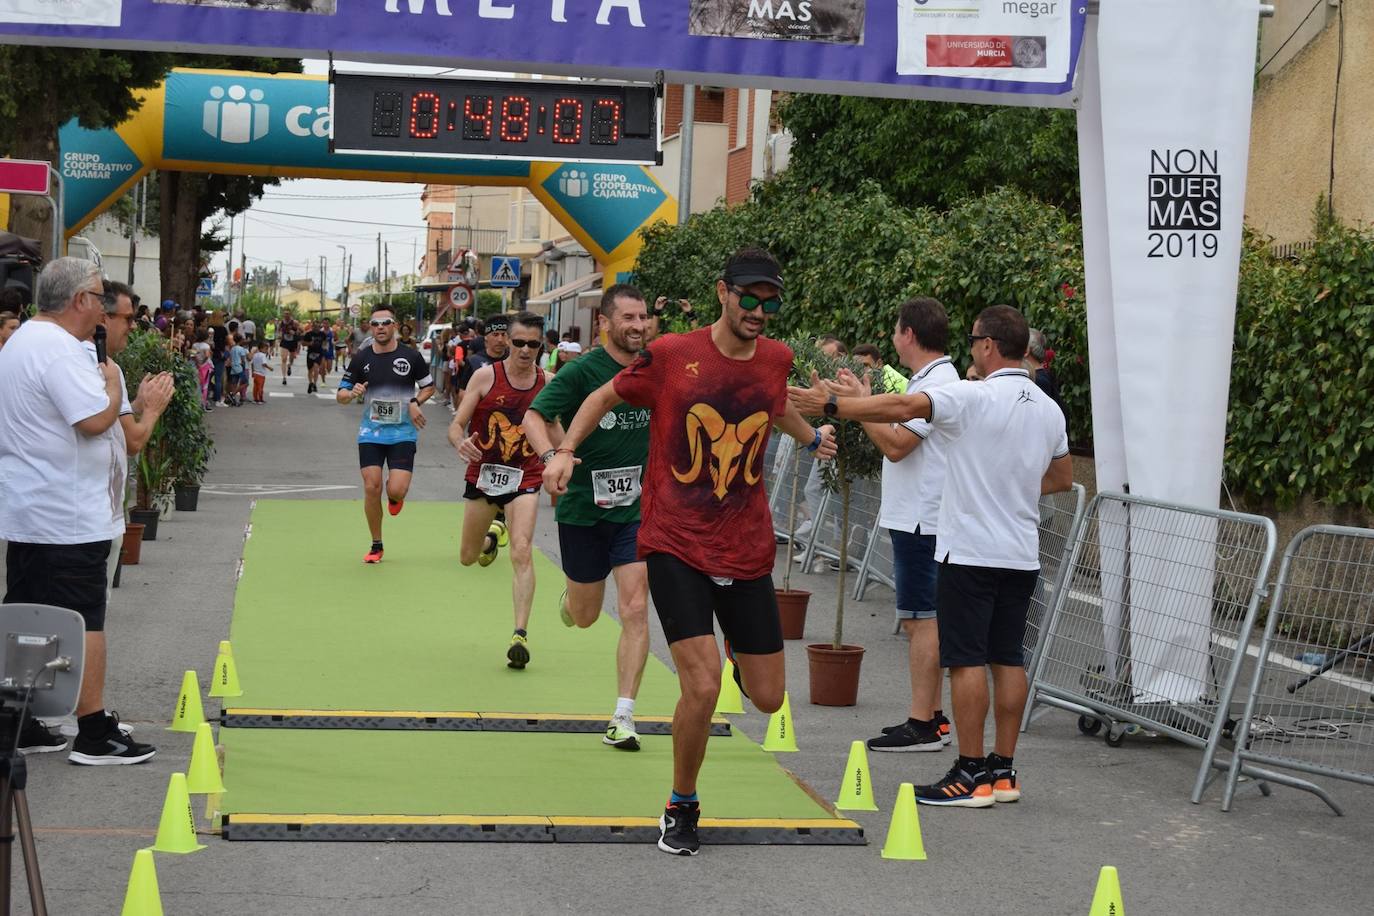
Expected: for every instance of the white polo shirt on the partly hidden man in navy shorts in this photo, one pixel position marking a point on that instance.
(912, 487)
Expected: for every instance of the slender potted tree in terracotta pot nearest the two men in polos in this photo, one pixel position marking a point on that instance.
(835, 665)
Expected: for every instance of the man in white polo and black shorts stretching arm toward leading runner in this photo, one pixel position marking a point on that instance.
(1006, 448)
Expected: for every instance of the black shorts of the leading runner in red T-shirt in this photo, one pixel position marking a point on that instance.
(686, 598)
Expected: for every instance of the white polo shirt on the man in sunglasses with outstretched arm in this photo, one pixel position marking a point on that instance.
(1002, 433)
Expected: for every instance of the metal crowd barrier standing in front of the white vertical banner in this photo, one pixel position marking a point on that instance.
(1156, 599)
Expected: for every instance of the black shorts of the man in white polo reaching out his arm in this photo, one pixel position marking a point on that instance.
(983, 615)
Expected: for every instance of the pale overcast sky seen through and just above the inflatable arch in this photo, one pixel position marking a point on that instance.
(302, 220)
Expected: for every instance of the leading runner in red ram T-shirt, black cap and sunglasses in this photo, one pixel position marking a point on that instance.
(707, 532)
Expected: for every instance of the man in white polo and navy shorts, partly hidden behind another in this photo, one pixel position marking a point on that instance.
(913, 479)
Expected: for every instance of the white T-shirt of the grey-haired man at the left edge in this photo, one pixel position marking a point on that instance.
(54, 481)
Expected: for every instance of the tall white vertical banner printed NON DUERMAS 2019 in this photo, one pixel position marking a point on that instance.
(1177, 80)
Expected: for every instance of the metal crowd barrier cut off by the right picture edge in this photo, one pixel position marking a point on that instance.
(1311, 701)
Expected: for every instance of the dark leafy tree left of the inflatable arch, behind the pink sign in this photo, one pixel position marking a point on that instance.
(43, 89)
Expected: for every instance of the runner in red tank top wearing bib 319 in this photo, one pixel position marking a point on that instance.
(502, 469)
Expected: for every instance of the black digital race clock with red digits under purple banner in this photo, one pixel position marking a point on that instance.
(556, 120)
